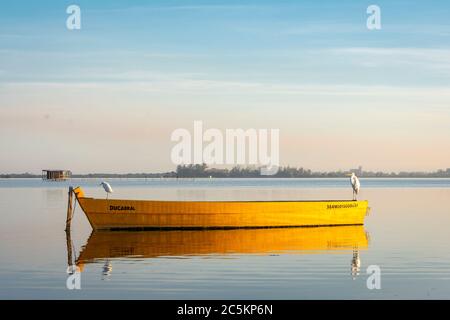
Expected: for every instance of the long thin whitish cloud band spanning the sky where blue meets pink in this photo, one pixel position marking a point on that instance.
(168, 84)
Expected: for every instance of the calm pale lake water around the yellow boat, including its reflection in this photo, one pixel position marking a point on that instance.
(406, 235)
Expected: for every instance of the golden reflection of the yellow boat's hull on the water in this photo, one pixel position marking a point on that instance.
(152, 244)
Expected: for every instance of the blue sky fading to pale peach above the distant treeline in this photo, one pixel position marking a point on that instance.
(107, 97)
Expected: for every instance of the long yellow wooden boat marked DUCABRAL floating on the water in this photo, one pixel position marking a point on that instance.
(141, 214)
